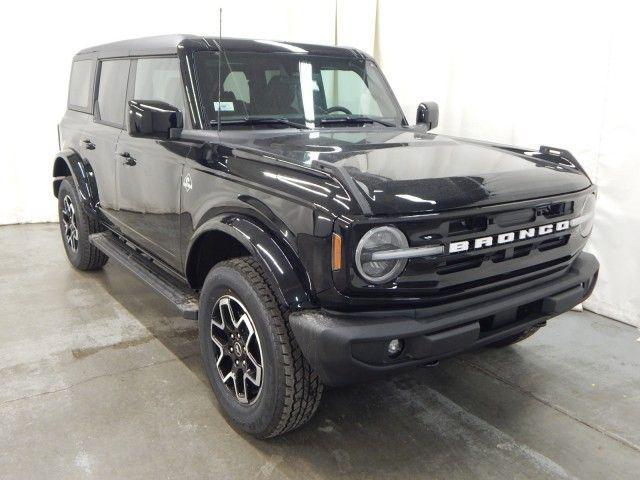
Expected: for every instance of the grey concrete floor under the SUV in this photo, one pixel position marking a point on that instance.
(101, 379)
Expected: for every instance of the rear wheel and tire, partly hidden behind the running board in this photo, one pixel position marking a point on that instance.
(75, 228)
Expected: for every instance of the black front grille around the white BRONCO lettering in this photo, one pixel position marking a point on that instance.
(474, 272)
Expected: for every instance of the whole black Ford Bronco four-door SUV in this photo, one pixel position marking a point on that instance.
(275, 193)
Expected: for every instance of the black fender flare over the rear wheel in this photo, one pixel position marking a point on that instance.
(83, 178)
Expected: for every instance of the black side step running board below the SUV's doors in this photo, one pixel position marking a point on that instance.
(185, 299)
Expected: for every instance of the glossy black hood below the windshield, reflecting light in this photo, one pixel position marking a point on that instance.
(404, 171)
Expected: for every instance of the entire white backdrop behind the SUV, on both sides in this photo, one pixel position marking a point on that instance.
(526, 73)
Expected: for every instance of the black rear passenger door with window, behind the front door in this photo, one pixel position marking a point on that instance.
(100, 137)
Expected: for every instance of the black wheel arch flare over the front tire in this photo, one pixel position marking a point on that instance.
(244, 235)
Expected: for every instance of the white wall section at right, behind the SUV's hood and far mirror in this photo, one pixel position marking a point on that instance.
(564, 74)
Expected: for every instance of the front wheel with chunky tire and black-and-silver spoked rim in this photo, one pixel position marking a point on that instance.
(256, 369)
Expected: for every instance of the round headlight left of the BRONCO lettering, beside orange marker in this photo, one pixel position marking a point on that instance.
(380, 239)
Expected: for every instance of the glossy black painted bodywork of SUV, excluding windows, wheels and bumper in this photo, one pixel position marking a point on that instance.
(281, 193)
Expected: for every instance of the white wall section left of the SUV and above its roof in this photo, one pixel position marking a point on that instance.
(40, 39)
